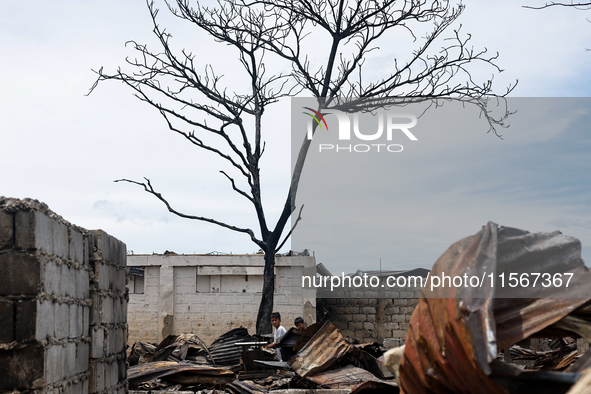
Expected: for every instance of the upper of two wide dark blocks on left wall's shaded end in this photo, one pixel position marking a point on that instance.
(20, 274)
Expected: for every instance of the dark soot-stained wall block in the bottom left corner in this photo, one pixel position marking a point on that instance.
(22, 367)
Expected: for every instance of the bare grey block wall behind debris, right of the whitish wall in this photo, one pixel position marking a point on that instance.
(369, 319)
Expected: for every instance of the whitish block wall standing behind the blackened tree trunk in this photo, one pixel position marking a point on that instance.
(172, 304)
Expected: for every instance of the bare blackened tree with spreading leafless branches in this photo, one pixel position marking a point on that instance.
(197, 105)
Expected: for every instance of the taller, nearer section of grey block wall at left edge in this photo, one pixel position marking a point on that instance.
(46, 302)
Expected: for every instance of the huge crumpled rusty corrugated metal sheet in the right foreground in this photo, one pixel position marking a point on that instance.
(455, 333)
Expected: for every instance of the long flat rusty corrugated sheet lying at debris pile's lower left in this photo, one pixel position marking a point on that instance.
(179, 373)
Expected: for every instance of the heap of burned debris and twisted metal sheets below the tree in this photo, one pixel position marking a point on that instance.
(322, 358)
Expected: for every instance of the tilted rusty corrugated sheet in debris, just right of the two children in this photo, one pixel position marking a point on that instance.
(322, 350)
